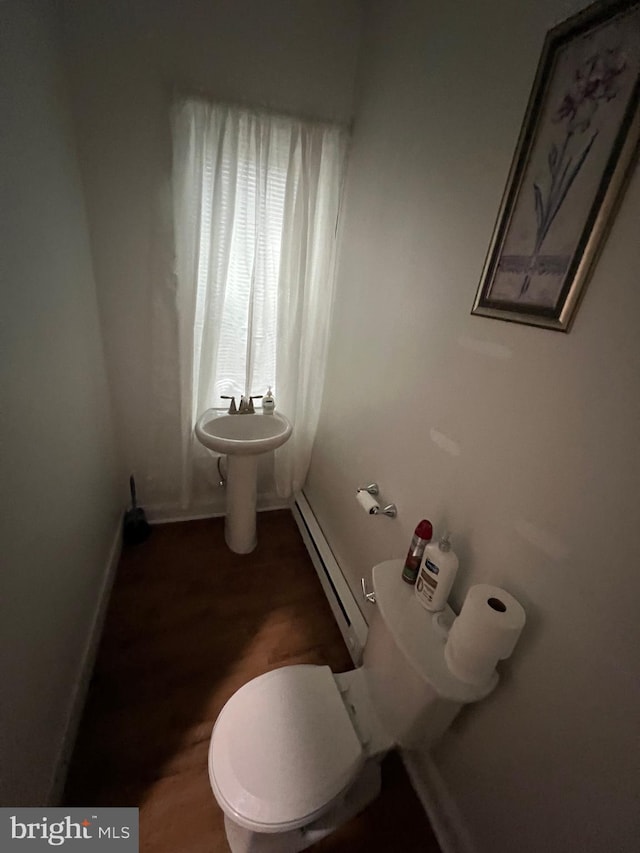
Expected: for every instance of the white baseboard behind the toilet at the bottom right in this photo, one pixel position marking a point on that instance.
(444, 816)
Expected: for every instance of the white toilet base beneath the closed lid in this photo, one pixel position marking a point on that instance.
(363, 791)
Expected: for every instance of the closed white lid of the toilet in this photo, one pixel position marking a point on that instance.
(282, 748)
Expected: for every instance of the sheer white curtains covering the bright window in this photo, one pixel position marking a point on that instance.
(256, 200)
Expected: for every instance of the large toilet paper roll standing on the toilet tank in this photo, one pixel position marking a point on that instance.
(486, 631)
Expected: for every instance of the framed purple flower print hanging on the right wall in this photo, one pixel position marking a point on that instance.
(576, 148)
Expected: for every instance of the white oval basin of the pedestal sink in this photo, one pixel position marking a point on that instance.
(243, 435)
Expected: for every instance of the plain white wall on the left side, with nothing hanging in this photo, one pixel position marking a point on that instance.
(60, 511)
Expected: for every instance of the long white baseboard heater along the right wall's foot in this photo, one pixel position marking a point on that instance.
(341, 600)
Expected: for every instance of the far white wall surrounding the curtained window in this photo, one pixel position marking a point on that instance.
(126, 59)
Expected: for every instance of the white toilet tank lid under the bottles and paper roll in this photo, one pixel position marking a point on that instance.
(418, 636)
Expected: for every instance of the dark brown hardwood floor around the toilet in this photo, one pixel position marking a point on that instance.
(188, 623)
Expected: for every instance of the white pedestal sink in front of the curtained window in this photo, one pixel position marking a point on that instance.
(242, 438)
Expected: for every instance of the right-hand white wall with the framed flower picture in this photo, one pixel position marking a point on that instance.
(523, 442)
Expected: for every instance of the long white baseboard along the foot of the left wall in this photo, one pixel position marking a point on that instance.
(76, 707)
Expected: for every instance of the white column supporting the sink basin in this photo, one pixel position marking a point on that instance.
(242, 490)
